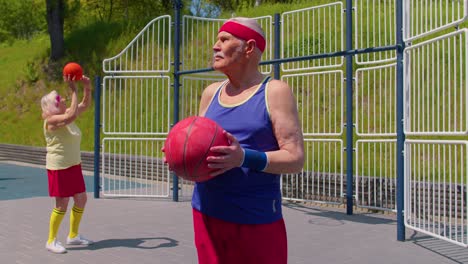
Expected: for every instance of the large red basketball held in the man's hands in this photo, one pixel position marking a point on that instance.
(188, 144)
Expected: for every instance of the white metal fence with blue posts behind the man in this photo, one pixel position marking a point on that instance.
(405, 76)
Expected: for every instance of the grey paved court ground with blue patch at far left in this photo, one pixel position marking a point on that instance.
(154, 231)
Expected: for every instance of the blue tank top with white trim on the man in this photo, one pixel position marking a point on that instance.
(242, 195)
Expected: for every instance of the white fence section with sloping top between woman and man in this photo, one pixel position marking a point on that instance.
(136, 110)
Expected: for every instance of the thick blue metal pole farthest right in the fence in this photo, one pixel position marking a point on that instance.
(400, 131)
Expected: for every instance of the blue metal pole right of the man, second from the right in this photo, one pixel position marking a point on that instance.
(349, 108)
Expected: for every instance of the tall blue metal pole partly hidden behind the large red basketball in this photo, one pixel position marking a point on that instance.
(177, 22)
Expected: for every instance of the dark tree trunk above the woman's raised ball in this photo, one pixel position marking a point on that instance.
(55, 10)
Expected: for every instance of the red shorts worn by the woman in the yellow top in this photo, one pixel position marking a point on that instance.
(66, 182)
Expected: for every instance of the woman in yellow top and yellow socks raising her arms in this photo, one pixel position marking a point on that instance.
(63, 161)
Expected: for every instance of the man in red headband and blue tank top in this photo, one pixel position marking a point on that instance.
(237, 214)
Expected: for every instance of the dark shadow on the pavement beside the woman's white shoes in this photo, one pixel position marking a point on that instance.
(141, 243)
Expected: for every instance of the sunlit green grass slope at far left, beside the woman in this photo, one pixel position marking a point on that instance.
(19, 112)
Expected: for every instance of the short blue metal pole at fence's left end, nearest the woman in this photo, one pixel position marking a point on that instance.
(97, 134)
